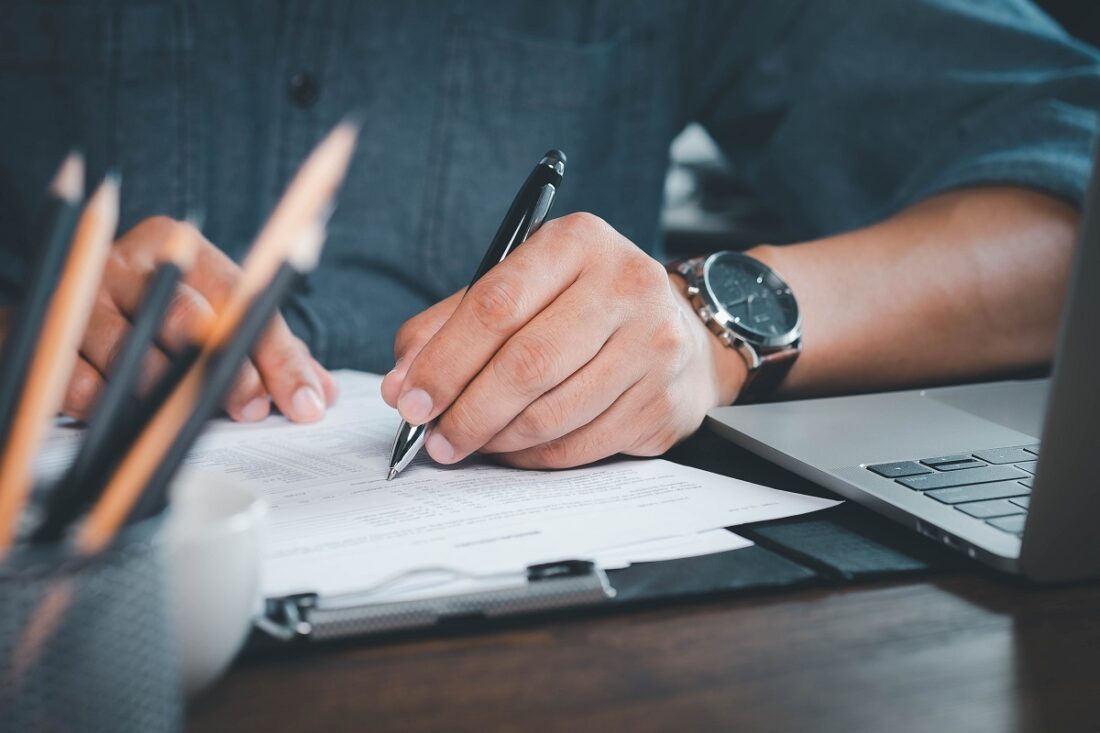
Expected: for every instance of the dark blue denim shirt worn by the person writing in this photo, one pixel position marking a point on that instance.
(835, 115)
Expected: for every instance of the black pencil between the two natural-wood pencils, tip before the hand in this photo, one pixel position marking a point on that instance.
(117, 420)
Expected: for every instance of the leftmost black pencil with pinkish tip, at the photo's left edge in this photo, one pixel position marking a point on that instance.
(59, 222)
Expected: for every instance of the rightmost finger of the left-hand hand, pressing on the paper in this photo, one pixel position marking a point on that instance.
(290, 374)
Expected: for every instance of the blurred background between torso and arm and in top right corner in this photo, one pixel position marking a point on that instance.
(707, 211)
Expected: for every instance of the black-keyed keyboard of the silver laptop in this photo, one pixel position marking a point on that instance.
(991, 486)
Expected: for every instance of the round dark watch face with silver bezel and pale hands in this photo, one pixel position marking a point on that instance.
(757, 303)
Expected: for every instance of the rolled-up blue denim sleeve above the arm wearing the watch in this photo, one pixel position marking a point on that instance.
(838, 115)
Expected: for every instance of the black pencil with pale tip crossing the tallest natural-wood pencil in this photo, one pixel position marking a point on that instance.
(223, 370)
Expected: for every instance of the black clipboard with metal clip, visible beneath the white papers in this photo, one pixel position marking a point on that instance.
(843, 545)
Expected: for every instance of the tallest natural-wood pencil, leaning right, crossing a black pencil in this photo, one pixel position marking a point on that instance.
(310, 194)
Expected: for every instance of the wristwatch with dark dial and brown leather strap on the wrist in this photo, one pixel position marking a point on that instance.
(752, 311)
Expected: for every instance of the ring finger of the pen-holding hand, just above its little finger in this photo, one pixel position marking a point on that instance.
(578, 401)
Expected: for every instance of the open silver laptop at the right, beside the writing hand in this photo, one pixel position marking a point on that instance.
(1005, 473)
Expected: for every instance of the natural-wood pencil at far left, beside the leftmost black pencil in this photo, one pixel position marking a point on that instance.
(56, 354)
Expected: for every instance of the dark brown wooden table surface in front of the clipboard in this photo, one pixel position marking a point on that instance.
(955, 651)
